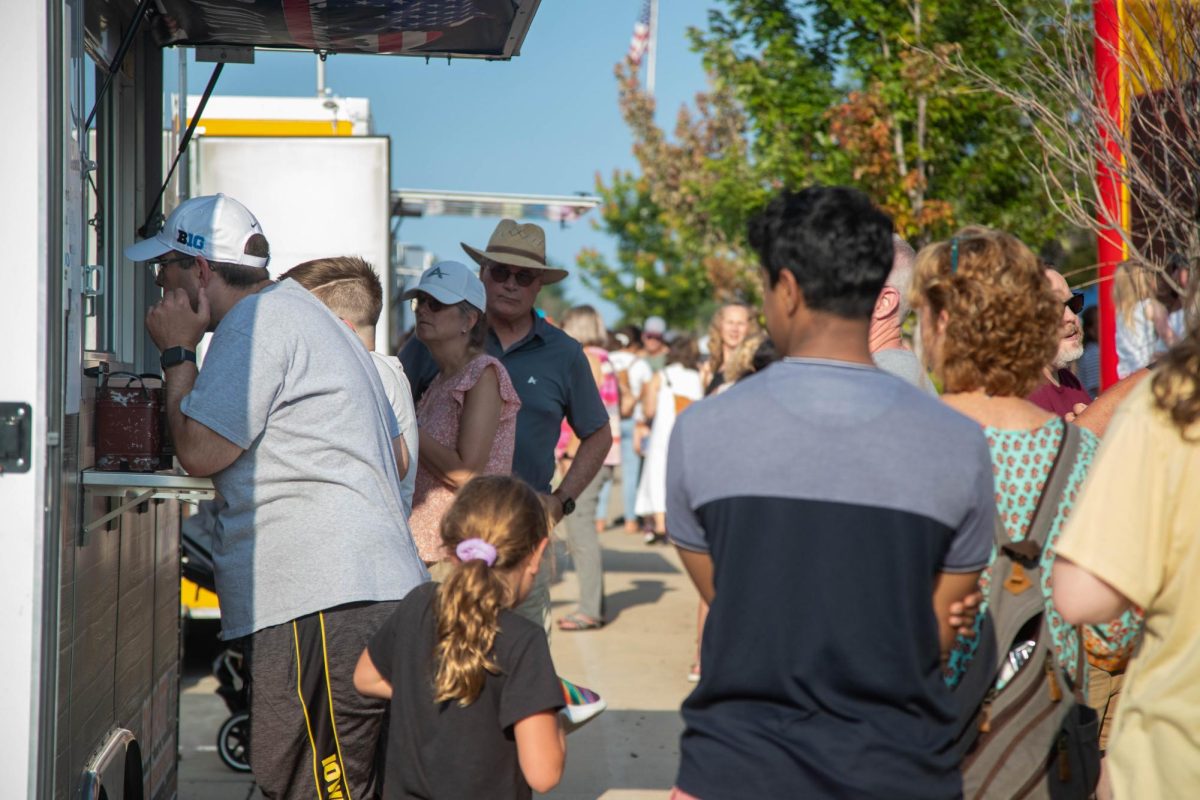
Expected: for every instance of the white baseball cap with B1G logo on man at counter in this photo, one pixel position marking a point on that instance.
(215, 226)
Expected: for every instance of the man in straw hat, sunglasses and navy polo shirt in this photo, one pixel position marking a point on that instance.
(548, 368)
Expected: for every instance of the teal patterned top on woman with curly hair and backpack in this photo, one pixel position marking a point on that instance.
(1022, 462)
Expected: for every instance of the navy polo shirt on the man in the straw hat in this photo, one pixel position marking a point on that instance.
(554, 378)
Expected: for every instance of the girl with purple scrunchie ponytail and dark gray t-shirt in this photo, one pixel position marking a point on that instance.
(473, 691)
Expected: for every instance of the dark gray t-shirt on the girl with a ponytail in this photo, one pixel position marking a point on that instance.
(442, 750)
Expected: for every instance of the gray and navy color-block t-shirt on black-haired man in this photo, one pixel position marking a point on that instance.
(830, 496)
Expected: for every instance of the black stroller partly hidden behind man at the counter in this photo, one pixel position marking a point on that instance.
(233, 739)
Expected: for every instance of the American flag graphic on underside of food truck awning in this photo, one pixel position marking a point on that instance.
(375, 26)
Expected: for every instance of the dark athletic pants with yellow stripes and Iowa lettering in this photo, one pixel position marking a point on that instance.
(313, 736)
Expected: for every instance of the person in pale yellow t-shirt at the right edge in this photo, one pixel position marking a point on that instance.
(1135, 539)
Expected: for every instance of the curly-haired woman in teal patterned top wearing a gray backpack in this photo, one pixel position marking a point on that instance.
(989, 324)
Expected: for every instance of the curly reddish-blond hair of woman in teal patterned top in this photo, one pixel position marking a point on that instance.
(1003, 317)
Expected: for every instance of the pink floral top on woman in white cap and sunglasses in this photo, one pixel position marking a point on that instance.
(440, 416)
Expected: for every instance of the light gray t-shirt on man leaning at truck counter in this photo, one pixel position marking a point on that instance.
(314, 516)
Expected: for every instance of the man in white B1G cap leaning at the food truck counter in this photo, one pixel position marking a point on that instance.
(291, 422)
